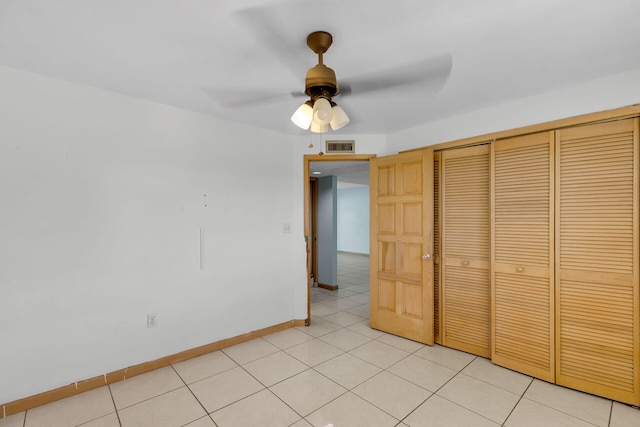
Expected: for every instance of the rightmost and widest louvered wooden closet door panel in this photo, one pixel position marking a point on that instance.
(597, 320)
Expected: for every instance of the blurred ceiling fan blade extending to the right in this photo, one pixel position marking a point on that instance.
(426, 75)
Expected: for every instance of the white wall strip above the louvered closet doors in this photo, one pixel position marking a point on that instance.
(597, 95)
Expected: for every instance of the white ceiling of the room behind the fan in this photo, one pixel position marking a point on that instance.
(210, 55)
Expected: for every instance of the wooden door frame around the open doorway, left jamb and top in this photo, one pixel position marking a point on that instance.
(308, 158)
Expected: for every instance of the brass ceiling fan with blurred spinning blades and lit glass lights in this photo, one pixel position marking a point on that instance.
(320, 111)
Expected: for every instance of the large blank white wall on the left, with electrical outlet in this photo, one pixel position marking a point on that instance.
(102, 198)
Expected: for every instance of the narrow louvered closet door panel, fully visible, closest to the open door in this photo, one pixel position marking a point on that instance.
(465, 239)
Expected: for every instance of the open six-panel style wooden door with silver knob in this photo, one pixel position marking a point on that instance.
(401, 258)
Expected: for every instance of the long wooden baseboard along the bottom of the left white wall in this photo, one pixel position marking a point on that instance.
(112, 377)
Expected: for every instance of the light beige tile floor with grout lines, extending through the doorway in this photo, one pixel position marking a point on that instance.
(336, 371)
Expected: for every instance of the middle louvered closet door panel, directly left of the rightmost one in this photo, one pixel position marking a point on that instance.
(522, 255)
